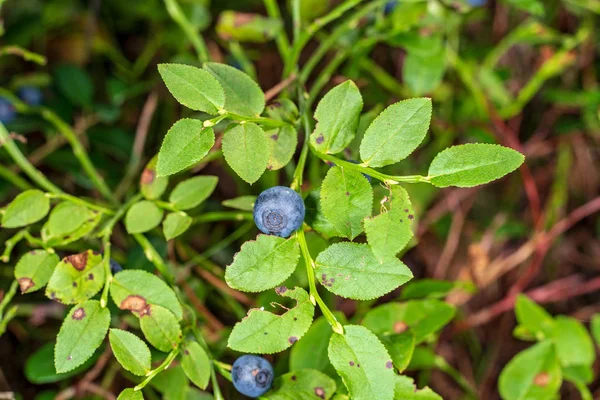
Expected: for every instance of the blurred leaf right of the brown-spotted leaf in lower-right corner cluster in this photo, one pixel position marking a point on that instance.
(573, 343)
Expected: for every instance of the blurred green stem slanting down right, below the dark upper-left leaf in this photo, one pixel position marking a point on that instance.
(80, 152)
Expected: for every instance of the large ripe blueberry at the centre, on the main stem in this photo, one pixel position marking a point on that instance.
(279, 211)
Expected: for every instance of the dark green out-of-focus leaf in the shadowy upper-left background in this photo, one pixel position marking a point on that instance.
(75, 84)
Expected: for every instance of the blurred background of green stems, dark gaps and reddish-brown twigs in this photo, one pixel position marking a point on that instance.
(518, 73)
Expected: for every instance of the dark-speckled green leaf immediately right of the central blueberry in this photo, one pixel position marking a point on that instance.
(346, 199)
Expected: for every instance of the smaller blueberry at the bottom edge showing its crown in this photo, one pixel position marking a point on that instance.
(252, 375)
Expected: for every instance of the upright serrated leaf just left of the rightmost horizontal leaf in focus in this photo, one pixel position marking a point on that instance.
(396, 132)
